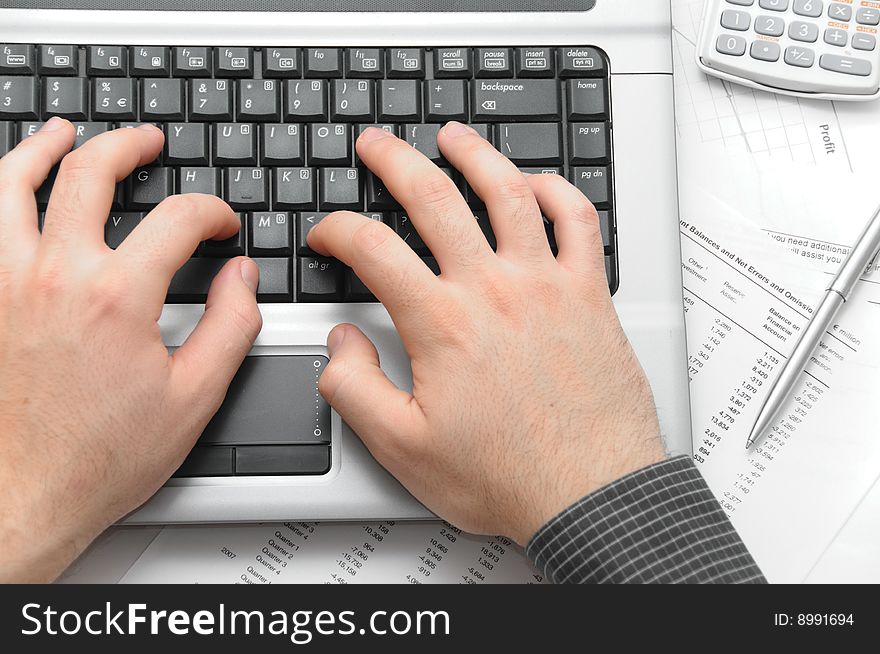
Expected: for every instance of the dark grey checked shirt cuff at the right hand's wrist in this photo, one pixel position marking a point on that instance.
(660, 524)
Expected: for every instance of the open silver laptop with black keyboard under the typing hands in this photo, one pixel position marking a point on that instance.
(261, 102)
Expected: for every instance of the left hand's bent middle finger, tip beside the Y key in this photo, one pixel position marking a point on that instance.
(83, 192)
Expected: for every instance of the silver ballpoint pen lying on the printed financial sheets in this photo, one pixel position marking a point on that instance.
(863, 252)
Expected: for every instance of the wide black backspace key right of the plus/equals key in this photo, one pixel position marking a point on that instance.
(522, 99)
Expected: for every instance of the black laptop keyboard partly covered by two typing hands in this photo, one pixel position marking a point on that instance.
(272, 131)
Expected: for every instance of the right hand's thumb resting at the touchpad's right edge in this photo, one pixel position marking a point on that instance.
(354, 385)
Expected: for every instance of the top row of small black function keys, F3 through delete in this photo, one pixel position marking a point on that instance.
(292, 62)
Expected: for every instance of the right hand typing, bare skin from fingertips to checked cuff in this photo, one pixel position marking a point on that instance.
(526, 393)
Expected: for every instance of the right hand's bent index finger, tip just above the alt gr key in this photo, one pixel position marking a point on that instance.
(379, 257)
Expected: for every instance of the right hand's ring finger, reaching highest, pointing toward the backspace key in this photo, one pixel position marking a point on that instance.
(513, 212)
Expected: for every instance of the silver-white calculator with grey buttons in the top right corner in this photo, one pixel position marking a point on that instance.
(805, 48)
